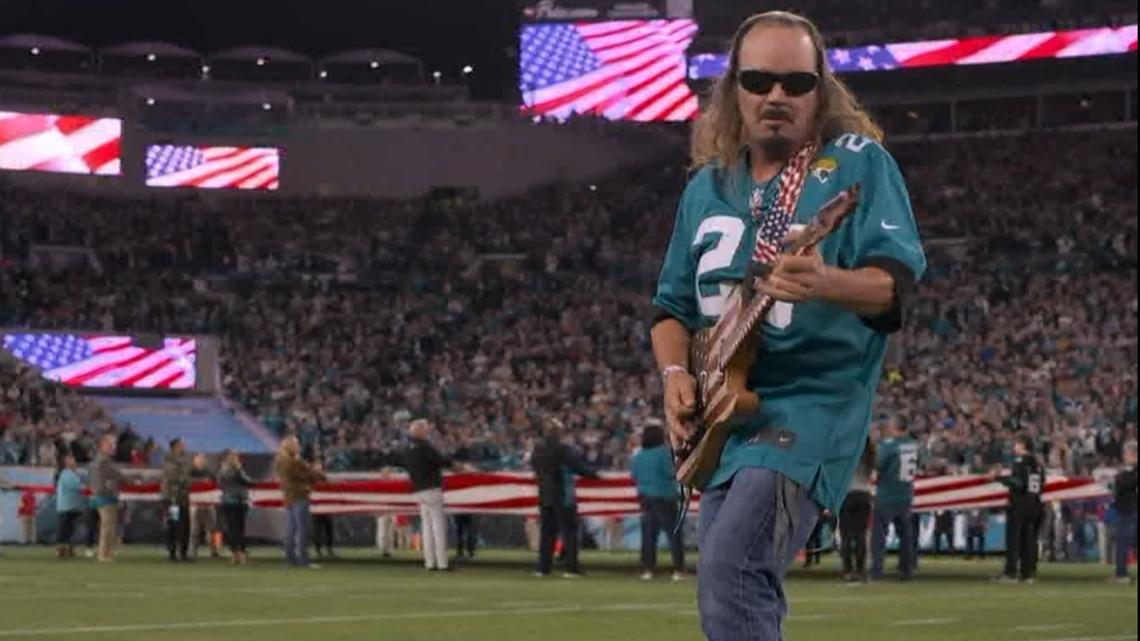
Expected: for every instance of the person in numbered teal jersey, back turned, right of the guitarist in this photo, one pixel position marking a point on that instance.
(897, 466)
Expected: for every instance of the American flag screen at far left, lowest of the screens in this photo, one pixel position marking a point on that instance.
(107, 362)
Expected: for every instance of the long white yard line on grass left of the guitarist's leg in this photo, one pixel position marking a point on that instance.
(348, 619)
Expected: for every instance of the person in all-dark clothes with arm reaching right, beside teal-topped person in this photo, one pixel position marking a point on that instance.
(556, 465)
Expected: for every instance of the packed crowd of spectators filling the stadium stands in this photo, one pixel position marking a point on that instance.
(344, 319)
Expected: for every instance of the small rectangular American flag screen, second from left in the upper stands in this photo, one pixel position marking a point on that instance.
(213, 168)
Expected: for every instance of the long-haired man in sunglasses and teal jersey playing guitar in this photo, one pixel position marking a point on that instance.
(780, 137)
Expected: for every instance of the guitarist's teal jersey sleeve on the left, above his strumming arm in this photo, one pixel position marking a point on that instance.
(677, 286)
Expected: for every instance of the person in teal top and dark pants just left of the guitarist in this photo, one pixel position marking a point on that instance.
(659, 497)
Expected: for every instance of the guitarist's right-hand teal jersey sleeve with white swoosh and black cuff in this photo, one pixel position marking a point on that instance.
(884, 234)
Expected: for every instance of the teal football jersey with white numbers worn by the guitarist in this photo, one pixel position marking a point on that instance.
(820, 364)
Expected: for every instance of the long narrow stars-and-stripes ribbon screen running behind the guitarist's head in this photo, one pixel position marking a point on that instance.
(981, 51)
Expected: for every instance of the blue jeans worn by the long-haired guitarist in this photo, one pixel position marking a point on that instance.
(740, 578)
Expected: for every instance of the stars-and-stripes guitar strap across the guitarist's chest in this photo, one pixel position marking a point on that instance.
(773, 220)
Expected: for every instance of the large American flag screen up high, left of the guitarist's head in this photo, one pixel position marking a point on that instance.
(625, 70)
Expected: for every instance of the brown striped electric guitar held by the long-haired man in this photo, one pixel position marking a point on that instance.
(722, 358)
